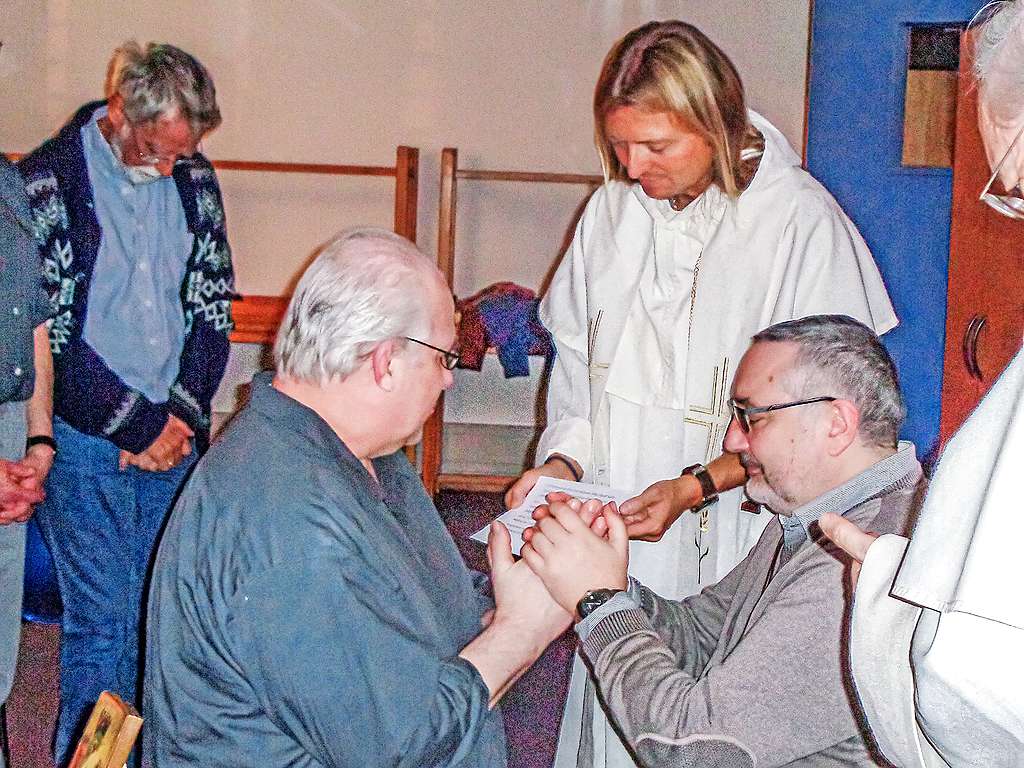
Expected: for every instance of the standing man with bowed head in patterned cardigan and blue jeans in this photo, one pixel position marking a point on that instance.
(137, 263)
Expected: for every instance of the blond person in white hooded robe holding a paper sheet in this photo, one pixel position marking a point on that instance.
(706, 232)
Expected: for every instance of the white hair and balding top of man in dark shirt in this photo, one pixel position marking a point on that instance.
(366, 286)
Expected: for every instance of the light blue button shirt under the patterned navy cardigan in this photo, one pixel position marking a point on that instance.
(141, 267)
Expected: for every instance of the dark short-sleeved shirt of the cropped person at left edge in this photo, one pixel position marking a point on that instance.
(23, 301)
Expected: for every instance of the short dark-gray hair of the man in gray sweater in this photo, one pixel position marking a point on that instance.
(842, 358)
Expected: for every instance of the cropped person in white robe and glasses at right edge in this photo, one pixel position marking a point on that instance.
(937, 633)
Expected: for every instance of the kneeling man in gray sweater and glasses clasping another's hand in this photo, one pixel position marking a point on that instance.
(752, 671)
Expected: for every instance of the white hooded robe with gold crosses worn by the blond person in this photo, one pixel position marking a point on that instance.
(635, 361)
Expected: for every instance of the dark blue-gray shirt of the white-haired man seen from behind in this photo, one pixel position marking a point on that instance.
(303, 615)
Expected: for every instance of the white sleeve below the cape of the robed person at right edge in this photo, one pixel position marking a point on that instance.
(938, 689)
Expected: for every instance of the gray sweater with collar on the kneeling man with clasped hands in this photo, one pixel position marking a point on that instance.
(751, 672)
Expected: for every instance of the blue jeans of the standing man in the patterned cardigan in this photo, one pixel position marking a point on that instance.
(102, 527)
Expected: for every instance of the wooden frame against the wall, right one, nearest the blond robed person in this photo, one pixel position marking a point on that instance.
(434, 431)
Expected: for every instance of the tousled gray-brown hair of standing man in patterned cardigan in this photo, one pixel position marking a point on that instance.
(160, 80)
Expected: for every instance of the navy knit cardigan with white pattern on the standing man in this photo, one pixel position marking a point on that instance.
(88, 395)
